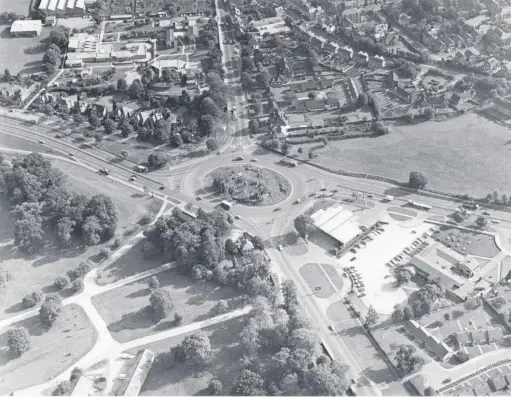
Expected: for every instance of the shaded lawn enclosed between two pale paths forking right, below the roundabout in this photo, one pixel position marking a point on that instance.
(127, 312)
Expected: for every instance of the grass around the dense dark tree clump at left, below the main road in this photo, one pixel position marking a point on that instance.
(37, 272)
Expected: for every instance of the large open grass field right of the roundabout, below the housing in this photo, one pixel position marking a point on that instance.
(455, 155)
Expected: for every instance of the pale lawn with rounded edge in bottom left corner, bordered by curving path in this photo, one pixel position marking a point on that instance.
(52, 351)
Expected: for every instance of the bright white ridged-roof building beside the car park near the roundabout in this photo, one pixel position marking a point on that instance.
(338, 223)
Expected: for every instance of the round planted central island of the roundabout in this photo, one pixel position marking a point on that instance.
(249, 184)
